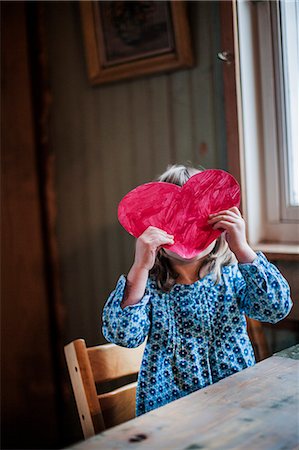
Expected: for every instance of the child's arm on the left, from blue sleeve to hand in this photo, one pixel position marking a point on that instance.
(126, 313)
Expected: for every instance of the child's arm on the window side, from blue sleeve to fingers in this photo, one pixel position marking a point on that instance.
(262, 291)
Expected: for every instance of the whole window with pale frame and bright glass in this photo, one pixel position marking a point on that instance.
(268, 51)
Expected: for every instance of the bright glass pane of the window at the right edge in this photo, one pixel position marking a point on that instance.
(284, 24)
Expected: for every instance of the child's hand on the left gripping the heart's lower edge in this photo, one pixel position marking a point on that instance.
(147, 246)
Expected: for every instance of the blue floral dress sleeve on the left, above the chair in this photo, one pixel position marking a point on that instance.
(126, 327)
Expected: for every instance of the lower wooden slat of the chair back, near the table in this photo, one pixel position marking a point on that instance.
(118, 406)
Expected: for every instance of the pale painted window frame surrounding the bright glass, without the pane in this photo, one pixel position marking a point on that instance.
(261, 161)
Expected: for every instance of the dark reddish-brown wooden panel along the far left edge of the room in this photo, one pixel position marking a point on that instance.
(28, 394)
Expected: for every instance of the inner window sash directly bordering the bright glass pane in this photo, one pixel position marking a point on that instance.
(273, 95)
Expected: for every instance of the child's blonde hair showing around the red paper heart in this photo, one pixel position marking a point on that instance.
(220, 256)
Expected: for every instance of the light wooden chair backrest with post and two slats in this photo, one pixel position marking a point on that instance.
(93, 366)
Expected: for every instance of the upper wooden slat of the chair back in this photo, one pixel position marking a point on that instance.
(110, 362)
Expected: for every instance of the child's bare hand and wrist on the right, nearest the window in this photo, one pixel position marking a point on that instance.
(234, 225)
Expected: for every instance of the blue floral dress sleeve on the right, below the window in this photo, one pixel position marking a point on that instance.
(263, 293)
